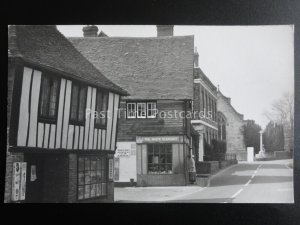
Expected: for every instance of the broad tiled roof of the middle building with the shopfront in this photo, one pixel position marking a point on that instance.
(148, 68)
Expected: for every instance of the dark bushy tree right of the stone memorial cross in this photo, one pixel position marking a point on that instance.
(273, 137)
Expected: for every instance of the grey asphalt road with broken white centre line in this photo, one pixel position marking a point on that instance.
(259, 182)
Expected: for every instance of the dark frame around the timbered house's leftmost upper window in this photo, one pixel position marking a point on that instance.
(43, 118)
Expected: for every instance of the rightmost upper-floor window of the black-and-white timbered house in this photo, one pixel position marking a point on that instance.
(101, 109)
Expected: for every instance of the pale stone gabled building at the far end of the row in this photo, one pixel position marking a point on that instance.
(230, 124)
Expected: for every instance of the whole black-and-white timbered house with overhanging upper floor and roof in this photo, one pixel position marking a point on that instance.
(57, 149)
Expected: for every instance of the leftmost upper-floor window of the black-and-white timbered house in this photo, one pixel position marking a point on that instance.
(49, 97)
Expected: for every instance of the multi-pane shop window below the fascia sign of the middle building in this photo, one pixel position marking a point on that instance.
(159, 158)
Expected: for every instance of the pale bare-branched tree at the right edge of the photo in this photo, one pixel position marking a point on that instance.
(282, 112)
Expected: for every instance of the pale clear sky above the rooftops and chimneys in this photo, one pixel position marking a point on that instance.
(253, 65)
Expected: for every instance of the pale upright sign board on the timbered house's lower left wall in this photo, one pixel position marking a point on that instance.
(19, 181)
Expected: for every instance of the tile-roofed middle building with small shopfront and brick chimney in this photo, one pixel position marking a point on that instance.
(153, 144)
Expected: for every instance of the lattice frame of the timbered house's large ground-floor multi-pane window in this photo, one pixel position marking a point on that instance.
(106, 180)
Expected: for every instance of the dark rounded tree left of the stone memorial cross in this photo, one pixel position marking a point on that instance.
(250, 131)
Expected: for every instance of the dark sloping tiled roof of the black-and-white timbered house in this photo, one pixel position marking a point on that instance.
(47, 47)
